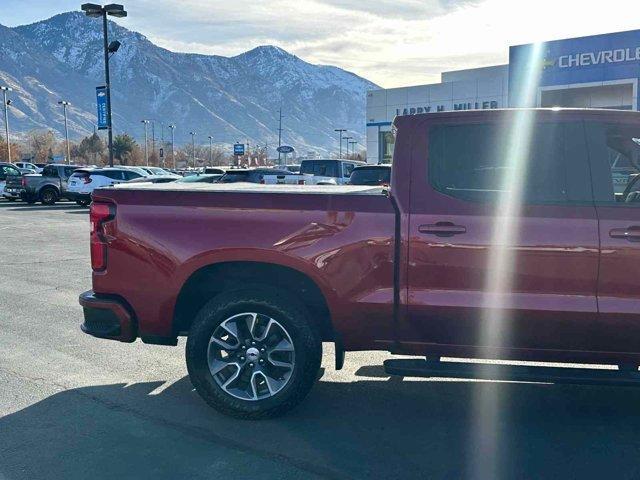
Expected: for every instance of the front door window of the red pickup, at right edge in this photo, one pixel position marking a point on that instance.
(614, 150)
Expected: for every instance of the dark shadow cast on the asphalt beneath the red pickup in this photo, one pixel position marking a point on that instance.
(370, 428)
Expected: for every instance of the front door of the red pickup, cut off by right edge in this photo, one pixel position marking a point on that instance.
(614, 151)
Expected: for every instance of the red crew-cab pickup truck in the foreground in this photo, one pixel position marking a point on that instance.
(502, 236)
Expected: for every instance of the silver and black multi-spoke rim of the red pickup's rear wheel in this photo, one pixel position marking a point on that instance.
(251, 356)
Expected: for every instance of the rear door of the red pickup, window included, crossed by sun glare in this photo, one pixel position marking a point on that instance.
(503, 237)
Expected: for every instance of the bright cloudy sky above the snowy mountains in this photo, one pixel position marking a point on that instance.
(390, 42)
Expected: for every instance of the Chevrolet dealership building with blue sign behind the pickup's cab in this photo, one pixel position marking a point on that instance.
(599, 71)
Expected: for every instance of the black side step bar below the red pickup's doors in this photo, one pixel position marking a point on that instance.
(513, 373)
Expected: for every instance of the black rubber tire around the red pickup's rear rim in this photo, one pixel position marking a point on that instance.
(283, 308)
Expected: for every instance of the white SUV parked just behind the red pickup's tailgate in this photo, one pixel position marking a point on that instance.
(84, 181)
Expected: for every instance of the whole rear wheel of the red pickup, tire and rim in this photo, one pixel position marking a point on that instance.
(253, 353)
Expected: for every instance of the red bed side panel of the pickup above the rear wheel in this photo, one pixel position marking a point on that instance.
(344, 243)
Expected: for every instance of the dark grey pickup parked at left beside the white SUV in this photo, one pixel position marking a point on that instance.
(49, 186)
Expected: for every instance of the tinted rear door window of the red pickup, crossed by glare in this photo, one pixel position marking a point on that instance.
(473, 162)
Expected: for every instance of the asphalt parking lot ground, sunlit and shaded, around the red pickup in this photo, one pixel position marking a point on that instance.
(72, 406)
